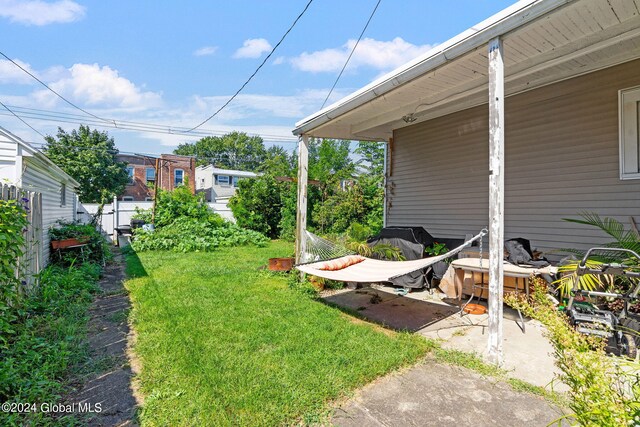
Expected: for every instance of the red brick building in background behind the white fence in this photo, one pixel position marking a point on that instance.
(173, 170)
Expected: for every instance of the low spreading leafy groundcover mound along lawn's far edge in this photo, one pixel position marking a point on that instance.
(190, 234)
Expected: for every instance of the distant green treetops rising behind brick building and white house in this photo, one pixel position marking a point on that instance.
(235, 150)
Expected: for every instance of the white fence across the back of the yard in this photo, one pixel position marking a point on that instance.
(119, 213)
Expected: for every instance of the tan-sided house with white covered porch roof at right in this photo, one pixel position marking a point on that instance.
(571, 81)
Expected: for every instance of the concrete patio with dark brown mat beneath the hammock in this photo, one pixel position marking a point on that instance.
(527, 356)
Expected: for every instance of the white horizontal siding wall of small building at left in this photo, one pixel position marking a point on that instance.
(35, 179)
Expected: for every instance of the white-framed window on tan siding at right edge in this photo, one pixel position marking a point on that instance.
(629, 118)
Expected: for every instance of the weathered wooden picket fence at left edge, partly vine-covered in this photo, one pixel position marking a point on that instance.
(29, 264)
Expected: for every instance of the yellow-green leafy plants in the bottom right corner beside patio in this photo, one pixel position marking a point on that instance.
(603, 390)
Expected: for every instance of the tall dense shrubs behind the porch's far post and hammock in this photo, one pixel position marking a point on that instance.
(345, 192)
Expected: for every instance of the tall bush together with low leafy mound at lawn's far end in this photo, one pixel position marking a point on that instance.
(184, 223)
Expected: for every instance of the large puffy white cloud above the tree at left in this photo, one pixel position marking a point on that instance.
(100, 86)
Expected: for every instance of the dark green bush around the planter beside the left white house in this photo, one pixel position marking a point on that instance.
(97, 249)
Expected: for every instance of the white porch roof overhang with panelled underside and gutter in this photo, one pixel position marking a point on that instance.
(544, 41)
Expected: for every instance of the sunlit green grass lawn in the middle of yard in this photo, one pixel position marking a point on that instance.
(223, 343)
